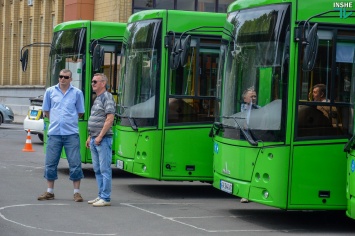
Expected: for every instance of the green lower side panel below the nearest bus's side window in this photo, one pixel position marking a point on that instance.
(318, 176)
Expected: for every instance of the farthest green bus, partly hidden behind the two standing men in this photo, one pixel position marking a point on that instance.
(85, 47)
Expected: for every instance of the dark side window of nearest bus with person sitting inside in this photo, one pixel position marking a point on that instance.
(327, 90)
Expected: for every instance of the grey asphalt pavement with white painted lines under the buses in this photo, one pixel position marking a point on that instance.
(139, 206)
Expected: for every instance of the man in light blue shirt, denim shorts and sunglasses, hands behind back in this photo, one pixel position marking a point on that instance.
(63, 104)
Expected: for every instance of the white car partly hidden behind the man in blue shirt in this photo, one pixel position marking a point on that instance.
(34, 119)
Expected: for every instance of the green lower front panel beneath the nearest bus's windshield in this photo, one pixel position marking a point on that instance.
(258, 174)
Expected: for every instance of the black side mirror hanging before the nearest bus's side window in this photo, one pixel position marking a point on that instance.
(311, 49)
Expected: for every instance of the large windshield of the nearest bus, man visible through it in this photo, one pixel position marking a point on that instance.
(255, 72)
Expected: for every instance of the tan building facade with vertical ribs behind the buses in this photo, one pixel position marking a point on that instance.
(29, 24)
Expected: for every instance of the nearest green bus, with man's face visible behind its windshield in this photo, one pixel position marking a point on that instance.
(285, 148)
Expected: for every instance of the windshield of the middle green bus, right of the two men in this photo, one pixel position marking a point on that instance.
(140, 70)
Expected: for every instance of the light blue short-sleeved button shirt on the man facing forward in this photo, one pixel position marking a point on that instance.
(64, 109)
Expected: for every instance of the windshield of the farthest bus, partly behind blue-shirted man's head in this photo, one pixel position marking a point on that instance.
(67, 51)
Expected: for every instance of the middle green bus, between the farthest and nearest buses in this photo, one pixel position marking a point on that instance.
(167, 94)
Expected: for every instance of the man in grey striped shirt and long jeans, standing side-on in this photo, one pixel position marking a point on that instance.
(100, 139)
